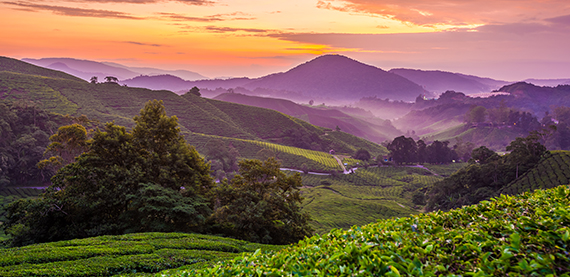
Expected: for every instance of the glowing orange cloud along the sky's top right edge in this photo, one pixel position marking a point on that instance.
(451, 12)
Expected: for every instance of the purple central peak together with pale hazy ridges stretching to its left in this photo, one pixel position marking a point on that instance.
(326, 78)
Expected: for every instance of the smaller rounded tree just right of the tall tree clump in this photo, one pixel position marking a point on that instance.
(262, 204)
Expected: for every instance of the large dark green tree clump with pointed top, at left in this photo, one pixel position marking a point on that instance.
(145, 180)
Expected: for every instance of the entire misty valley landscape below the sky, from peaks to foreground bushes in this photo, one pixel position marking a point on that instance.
(332, 168)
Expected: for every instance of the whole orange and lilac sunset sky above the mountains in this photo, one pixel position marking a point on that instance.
(503, 39)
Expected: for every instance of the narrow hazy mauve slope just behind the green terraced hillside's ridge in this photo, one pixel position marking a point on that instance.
(325, 117)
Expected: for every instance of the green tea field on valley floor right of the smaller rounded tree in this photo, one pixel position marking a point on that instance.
(365, 195)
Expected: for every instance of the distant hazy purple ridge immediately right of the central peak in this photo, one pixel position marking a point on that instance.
(440, 81)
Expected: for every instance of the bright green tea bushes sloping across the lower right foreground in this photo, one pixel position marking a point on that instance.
(525, 235)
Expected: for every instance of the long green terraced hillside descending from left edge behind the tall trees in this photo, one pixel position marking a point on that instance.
(107, 102)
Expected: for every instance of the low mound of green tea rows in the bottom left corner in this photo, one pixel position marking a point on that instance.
(126, 254)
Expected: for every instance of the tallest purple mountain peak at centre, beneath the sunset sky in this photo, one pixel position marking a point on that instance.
(339, 77)
